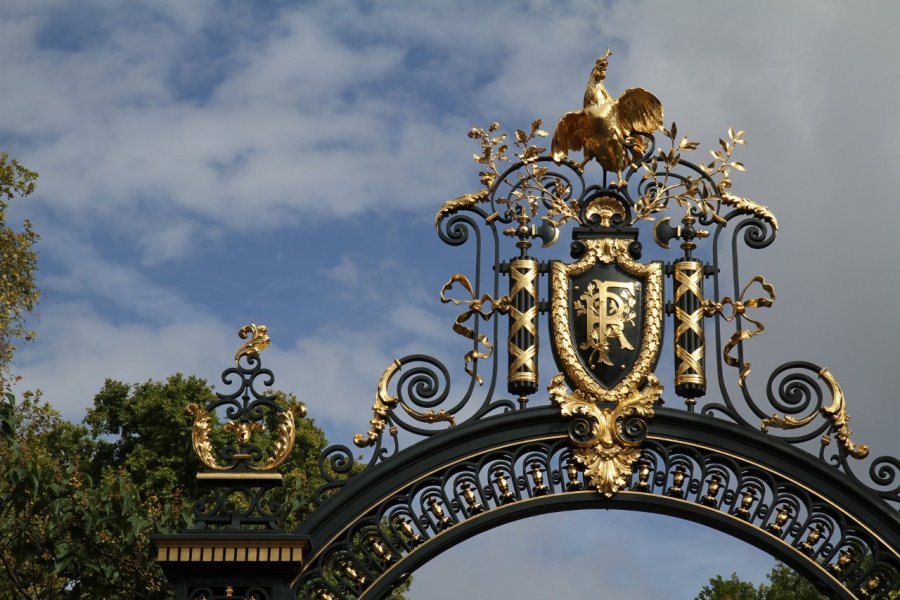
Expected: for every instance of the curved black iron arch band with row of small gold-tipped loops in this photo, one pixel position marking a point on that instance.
(758, 477)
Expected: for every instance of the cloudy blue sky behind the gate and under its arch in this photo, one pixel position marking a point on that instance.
(207, 164)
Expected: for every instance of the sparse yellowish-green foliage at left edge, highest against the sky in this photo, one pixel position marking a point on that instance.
(18, 263)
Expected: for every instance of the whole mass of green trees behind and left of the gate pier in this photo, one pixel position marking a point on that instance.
(79, 502)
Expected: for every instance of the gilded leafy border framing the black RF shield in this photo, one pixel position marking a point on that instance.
(606, 251)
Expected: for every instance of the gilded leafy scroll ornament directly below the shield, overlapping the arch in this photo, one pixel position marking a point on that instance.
(600, 442)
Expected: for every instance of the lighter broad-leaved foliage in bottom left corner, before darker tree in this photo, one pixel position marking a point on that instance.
(63, 533)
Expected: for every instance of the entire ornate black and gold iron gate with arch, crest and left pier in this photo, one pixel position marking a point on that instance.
(446, 466)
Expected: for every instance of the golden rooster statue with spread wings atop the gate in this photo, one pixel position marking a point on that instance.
(603, 129)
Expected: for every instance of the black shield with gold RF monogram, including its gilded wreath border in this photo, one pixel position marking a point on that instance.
(606, 319)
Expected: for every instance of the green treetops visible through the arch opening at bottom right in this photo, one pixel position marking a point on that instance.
(784, 584)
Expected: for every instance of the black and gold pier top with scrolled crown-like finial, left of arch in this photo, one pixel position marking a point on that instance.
(236, 548)
